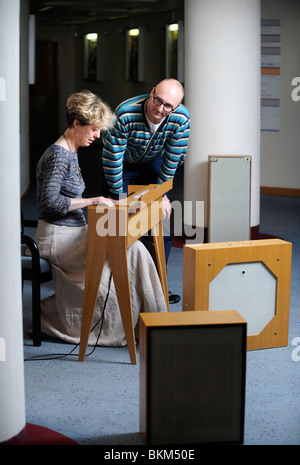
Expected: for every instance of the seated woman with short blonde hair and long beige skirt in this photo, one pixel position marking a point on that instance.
(62, 235)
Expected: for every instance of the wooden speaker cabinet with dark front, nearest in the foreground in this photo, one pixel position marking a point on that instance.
(192, 377)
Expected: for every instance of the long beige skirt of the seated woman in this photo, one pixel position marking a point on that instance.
(66, 249)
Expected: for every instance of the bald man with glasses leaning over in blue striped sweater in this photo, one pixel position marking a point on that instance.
(147, 143)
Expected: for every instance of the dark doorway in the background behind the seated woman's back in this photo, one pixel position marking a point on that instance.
(44, 122)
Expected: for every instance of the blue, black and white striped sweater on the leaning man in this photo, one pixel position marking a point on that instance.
(130, 140)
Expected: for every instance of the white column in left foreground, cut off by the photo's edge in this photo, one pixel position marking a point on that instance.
(12, 398)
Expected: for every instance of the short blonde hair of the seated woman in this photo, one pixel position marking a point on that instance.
(88, 108)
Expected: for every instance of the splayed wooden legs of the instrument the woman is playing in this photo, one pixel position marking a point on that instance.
(115, 248)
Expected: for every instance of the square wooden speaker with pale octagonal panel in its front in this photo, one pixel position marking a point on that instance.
(252, 277)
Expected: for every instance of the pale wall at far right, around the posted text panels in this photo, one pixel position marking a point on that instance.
(280, 151)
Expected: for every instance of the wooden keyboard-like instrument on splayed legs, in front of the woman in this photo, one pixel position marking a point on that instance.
(127, 221)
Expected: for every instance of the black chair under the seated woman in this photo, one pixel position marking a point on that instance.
(38, 271)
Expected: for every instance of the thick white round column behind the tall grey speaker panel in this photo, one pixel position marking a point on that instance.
(222, 90)
